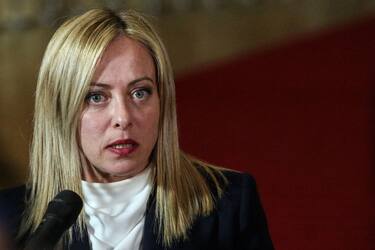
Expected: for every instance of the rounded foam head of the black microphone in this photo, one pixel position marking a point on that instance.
(65, 207)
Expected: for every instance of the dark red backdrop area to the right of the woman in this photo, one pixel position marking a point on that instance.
(299, 117)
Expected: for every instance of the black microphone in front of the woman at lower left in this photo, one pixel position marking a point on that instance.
(61, 213)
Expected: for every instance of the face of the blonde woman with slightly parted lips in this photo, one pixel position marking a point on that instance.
(119, 125)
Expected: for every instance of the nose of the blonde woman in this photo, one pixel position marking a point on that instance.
(121, 115)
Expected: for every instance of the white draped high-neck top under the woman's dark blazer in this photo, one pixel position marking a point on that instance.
(115, 212)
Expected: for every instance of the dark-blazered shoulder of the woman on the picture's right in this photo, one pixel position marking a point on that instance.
(239, 212)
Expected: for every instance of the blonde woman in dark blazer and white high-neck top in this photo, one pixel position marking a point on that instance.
(105, 127)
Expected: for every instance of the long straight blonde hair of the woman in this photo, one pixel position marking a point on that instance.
(180, 183)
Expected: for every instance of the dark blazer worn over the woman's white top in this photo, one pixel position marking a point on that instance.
(237, 222)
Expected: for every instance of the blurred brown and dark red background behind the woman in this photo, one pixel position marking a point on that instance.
(282, 89)
